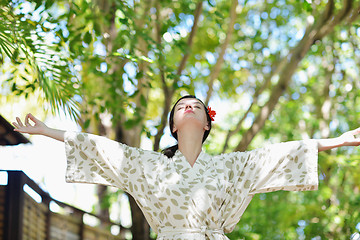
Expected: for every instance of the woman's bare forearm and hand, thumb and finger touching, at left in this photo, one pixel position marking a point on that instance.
(37, 128)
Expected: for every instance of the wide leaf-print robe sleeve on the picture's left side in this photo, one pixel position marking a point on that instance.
(96, 159)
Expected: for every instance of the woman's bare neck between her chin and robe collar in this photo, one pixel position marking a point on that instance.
(190, 144)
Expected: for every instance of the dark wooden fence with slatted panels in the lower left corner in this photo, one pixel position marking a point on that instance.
(23, 218)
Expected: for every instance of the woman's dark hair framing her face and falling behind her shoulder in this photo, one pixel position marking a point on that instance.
(170, 151)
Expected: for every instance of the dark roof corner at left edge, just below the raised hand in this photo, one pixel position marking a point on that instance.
(8, 136)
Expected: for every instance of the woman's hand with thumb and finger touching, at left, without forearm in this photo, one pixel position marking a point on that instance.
(37, 128)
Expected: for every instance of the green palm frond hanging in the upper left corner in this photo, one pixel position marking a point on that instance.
(28, 42)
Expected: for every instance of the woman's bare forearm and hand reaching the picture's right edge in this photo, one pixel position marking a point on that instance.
(346, 139)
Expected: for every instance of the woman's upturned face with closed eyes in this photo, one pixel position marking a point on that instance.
(190, 110)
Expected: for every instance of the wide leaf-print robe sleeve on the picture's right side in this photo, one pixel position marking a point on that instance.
(290, 166)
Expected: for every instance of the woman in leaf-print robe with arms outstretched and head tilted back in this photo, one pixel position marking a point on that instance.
(183, 192)
